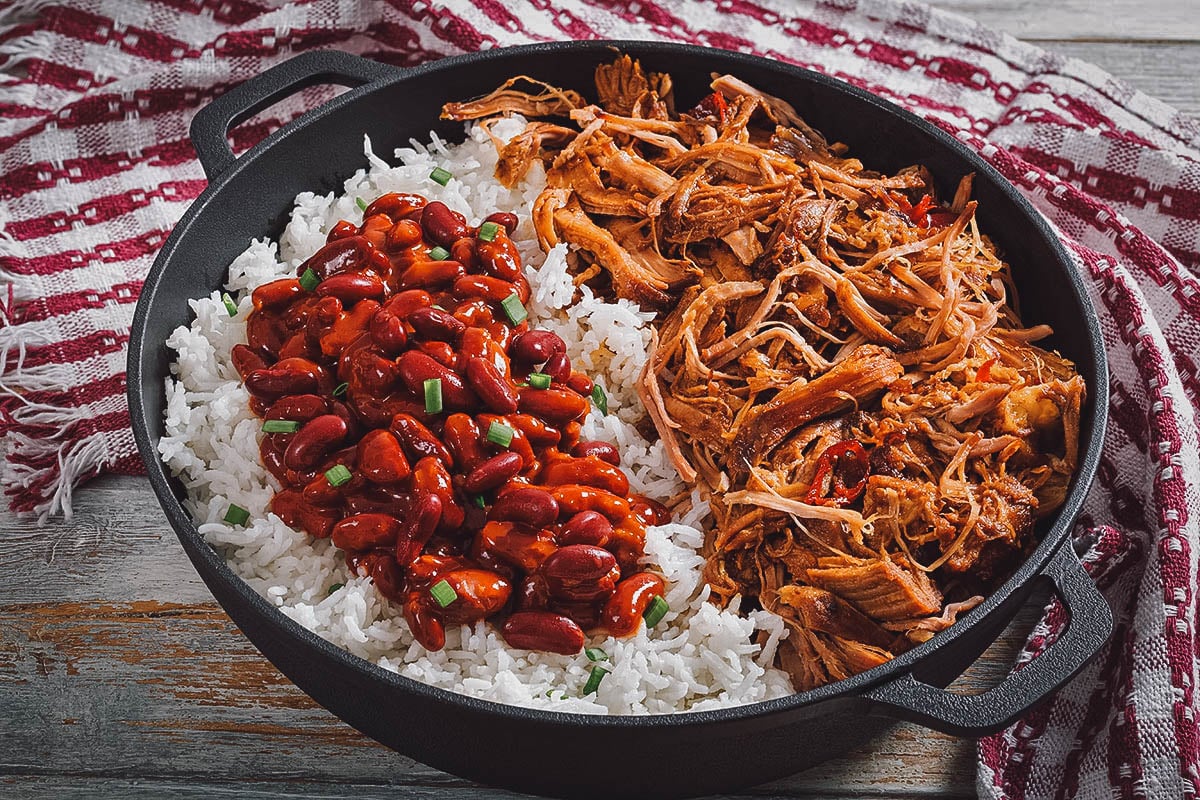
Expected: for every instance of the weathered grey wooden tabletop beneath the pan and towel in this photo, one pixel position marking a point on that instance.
(121, 677)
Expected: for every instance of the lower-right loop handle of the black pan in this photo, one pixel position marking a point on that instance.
(975, 715)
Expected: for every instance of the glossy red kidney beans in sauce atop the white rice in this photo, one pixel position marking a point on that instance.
(539, 533)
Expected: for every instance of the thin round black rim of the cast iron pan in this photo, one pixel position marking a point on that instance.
(1096, 413)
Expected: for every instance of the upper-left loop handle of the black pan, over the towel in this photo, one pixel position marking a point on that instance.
(211, 127)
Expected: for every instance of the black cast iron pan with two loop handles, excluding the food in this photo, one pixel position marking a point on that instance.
(575, 755)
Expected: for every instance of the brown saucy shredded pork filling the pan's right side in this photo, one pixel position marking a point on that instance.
(809, 306)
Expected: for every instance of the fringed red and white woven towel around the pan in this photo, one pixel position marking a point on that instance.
(95, 101)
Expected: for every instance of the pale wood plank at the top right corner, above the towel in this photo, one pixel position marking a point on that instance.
(1169, 21)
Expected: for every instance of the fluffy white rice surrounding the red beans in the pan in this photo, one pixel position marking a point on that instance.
(699, 658)
